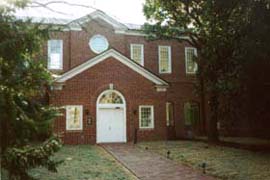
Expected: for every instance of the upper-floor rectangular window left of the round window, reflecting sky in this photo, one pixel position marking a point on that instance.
(55, 54)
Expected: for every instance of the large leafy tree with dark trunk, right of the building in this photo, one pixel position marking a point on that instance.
(220, 30)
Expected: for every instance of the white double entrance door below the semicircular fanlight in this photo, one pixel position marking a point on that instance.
(111, 125)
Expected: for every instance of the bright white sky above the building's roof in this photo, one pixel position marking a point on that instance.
(126, 11)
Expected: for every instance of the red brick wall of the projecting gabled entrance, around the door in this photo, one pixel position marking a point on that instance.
(84, 89)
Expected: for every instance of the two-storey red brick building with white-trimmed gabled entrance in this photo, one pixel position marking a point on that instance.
(115, 86)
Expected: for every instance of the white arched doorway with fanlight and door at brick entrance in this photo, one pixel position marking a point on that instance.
(111, 117)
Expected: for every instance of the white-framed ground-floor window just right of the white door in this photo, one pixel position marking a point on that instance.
(146, 117)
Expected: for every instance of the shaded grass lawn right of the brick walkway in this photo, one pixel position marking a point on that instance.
(221, 162)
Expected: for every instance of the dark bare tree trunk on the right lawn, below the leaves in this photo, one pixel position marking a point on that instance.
(212, 124)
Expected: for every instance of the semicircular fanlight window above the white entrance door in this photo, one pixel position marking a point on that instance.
(111, 98)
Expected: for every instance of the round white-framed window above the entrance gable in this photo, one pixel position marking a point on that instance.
(98, 44)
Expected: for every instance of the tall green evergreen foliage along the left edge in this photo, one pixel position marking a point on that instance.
(24, 115)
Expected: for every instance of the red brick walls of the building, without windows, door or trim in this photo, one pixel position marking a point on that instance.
(84, 88)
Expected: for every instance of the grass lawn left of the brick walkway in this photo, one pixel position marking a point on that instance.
(84, 162)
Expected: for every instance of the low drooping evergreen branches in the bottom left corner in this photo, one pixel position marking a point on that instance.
(19, 160)
